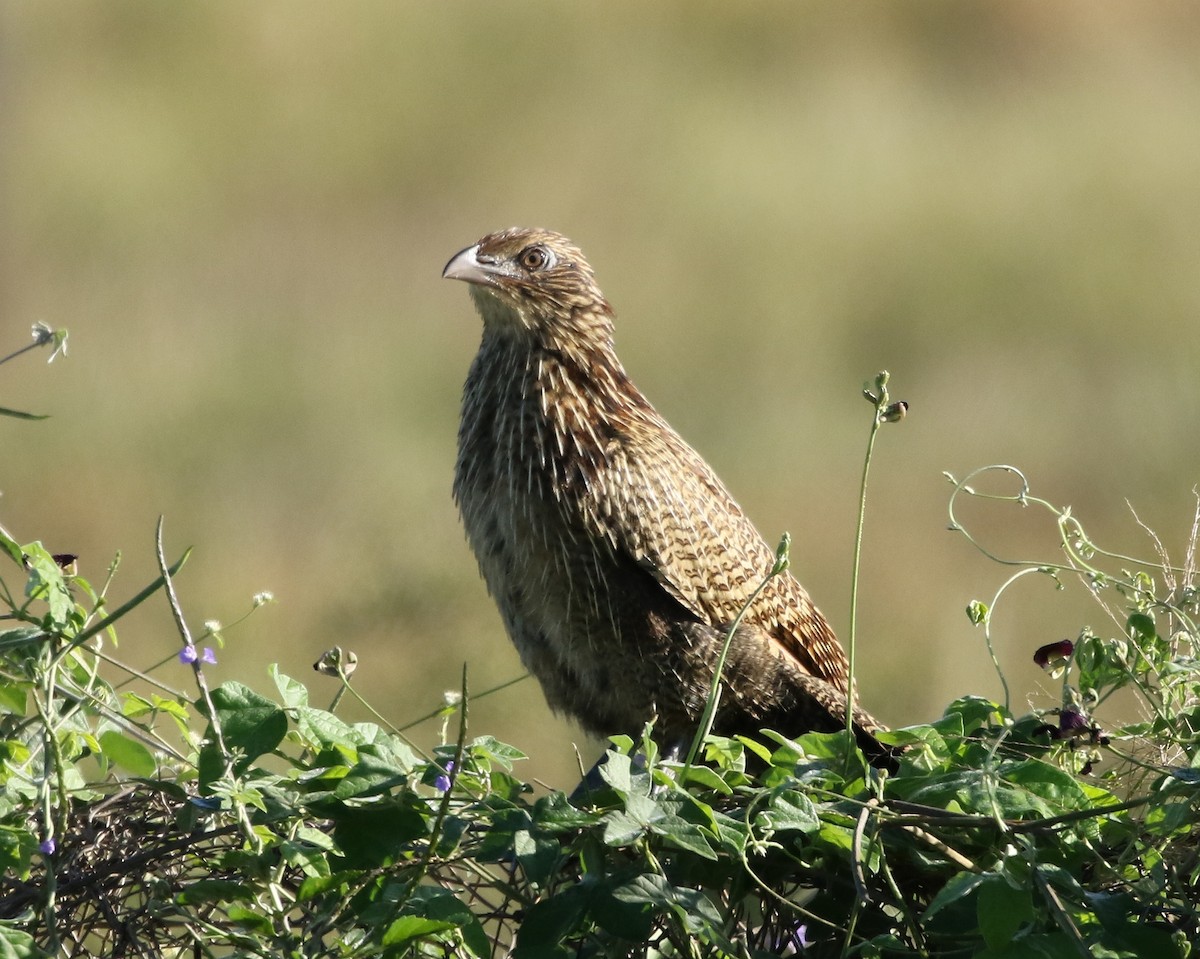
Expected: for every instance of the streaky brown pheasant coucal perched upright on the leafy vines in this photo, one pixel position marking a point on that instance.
(616, 556)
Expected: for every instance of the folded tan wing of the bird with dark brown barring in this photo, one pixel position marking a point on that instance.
(683, 526)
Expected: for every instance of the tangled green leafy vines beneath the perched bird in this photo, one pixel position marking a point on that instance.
(251, 824)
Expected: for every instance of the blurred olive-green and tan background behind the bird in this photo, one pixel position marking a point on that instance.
(242, 213)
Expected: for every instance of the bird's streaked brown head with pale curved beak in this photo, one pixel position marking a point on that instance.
(533, 283)
